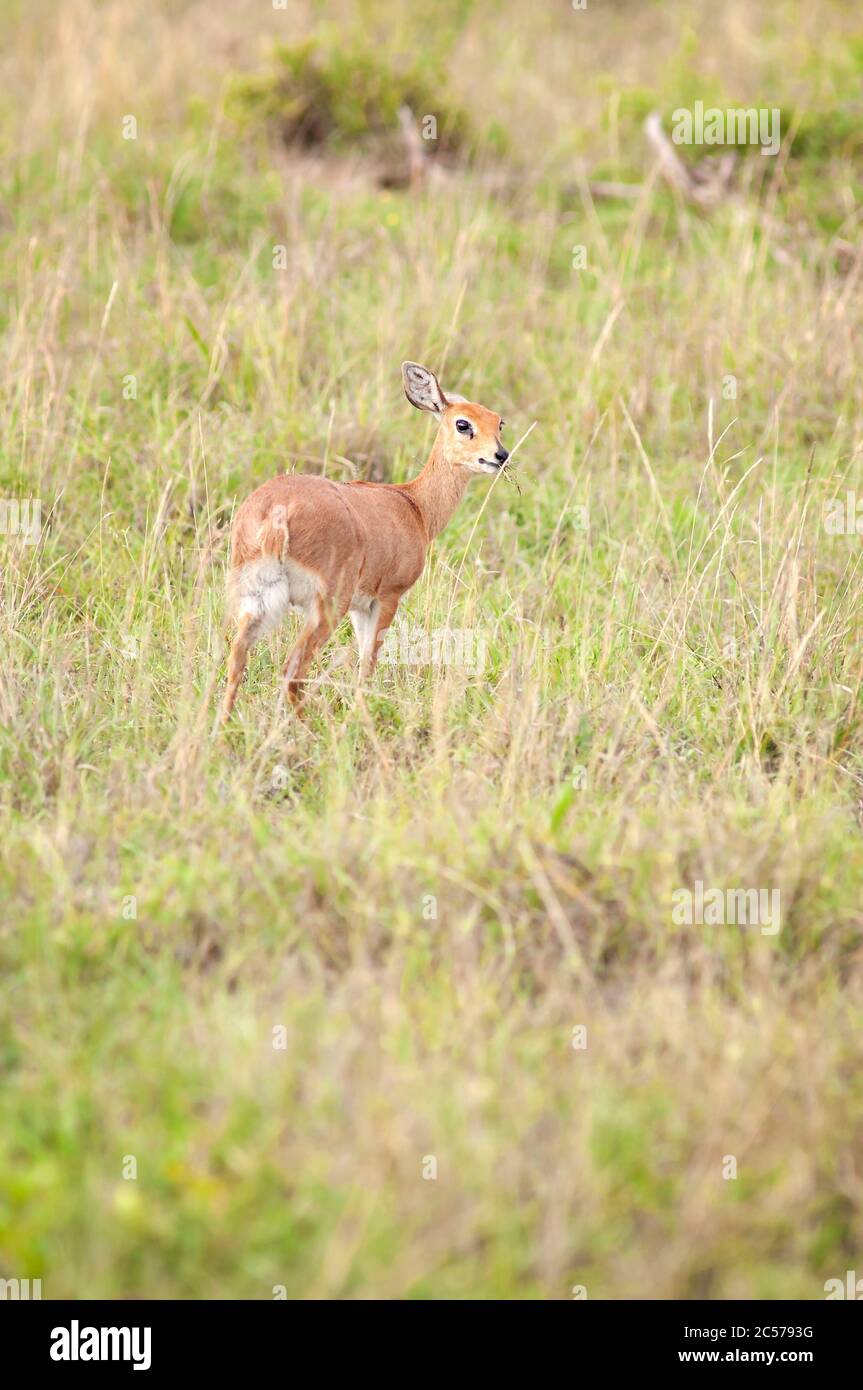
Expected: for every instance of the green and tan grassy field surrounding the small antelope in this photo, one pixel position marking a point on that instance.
(298, 1006)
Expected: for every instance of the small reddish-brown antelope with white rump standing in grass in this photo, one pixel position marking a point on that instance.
(333, 548)
